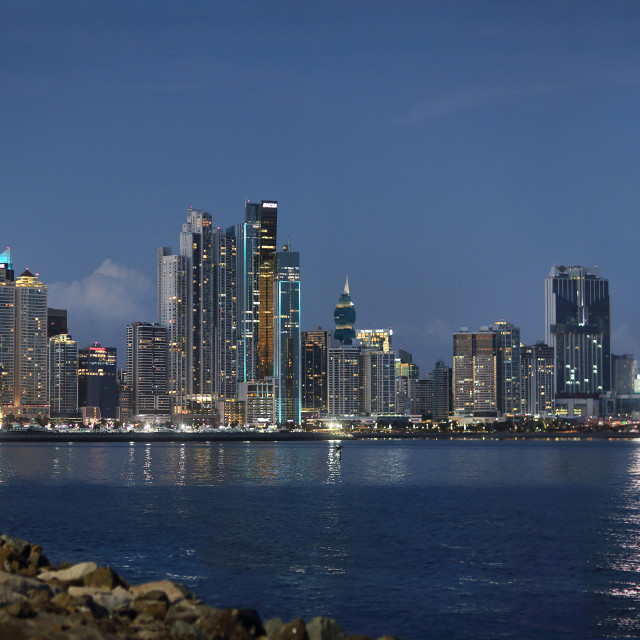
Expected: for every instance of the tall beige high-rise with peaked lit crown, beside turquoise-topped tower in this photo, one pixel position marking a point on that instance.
(32, 344)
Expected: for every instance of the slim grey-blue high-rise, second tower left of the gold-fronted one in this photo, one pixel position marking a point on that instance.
(225, 312)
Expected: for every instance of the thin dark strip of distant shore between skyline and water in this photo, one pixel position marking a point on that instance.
(40, 436)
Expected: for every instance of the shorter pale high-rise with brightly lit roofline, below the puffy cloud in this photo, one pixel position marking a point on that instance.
(63, 375)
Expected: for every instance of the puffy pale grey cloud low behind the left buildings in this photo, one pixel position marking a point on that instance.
(102, 304)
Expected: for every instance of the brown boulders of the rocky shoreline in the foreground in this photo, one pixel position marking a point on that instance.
(85, 602)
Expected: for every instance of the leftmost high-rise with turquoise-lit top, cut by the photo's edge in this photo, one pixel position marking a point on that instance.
(7, 329)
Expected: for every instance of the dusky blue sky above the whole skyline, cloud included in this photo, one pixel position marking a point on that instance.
(443, 155)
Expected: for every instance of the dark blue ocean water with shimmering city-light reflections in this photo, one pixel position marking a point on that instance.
(422, 539)
